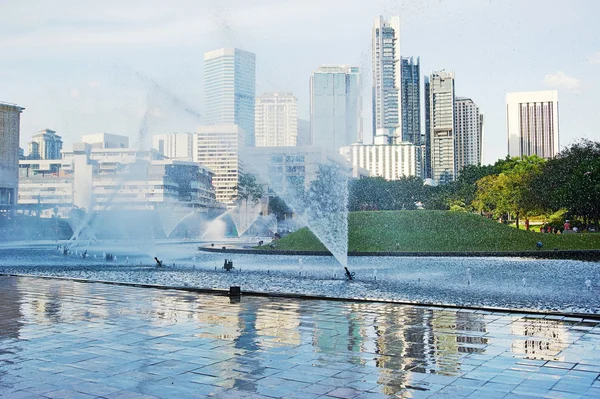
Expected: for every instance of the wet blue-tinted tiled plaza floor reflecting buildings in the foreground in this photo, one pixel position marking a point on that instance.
(67, 339)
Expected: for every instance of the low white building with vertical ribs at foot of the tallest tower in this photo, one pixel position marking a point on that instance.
(391, 161)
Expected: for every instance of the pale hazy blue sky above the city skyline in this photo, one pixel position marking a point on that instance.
(135, 67)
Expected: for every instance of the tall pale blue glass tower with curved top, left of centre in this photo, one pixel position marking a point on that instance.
(230, 89)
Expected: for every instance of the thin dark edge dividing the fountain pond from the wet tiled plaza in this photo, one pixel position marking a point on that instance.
(275, 295)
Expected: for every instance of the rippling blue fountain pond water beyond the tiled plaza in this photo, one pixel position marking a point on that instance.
(515, 283)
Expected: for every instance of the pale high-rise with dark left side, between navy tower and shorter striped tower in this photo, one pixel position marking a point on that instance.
(439, 120)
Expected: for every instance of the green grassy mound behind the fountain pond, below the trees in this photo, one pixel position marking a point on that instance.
(424, 231)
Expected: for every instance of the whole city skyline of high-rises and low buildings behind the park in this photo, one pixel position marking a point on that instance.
(263, 134)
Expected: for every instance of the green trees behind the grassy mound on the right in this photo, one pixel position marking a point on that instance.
(515, 187)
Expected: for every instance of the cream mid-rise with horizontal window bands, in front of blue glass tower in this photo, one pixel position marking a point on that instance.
(218, 147)
